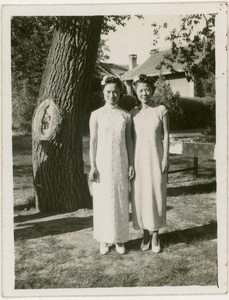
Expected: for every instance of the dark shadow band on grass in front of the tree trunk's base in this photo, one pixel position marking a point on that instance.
(35, 230)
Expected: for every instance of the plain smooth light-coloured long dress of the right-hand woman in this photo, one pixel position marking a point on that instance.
(149, 185)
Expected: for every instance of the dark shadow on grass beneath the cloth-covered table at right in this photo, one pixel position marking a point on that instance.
(191, 190)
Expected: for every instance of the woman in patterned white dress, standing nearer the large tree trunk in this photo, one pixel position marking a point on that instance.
(111, 157)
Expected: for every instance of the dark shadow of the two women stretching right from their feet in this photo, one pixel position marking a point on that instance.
(201, 233)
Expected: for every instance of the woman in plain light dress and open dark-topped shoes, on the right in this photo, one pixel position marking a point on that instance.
(151, 149)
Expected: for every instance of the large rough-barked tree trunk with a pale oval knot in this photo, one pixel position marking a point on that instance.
(58, 168)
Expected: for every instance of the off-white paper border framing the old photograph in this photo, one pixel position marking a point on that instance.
(30, 8)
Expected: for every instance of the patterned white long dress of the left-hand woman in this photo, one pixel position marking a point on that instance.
(110, 192)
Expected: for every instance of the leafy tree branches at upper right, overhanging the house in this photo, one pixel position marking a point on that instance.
(193, 45)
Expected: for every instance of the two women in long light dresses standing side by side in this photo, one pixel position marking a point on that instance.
(120, 142)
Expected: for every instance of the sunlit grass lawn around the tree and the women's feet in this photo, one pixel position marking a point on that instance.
(58, 251)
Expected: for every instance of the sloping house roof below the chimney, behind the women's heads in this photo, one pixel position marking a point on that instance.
(151, 66)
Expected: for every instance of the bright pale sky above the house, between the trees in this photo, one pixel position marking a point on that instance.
(137, 38)
